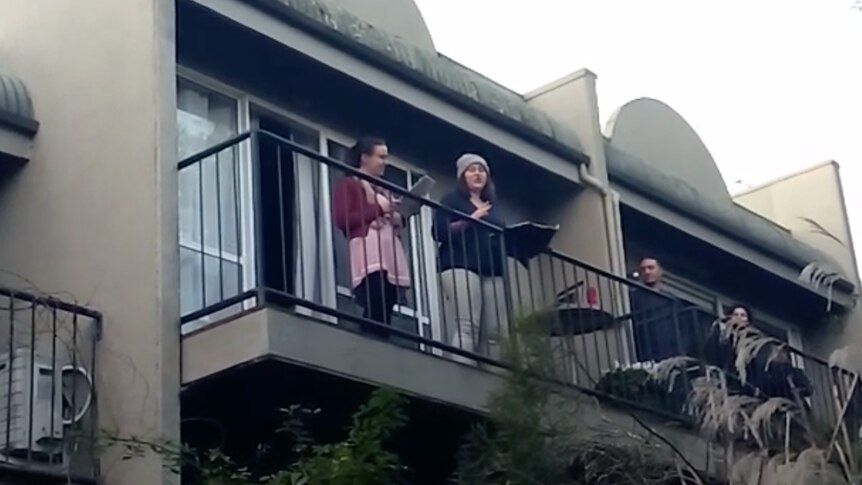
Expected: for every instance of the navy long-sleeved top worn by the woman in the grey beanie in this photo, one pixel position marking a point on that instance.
(473, 247)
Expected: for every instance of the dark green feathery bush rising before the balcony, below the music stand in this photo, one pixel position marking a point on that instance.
(534, 436)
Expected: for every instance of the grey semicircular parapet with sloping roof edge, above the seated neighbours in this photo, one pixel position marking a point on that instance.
(654, 151)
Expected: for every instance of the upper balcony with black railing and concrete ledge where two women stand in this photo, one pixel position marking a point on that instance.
(267, 274)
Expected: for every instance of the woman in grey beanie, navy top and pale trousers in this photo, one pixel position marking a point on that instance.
(471, 261)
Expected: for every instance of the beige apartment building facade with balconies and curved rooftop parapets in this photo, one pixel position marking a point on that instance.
(167, 180)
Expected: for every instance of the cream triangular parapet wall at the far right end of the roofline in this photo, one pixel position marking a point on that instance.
(814, 194)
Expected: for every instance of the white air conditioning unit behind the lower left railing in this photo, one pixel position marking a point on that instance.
(31, 405)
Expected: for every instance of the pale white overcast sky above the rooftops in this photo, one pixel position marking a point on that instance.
(771, 86)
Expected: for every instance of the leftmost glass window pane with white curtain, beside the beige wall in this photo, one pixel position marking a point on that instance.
(211, 263)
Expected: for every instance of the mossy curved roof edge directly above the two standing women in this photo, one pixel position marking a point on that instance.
(437, 73)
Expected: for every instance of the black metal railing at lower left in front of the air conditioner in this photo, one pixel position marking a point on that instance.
(48, 416)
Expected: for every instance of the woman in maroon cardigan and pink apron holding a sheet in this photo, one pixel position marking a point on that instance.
(368, 216)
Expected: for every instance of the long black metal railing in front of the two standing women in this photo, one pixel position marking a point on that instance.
(260, 227)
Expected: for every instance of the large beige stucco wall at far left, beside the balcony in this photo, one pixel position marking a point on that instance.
(93, 214)
